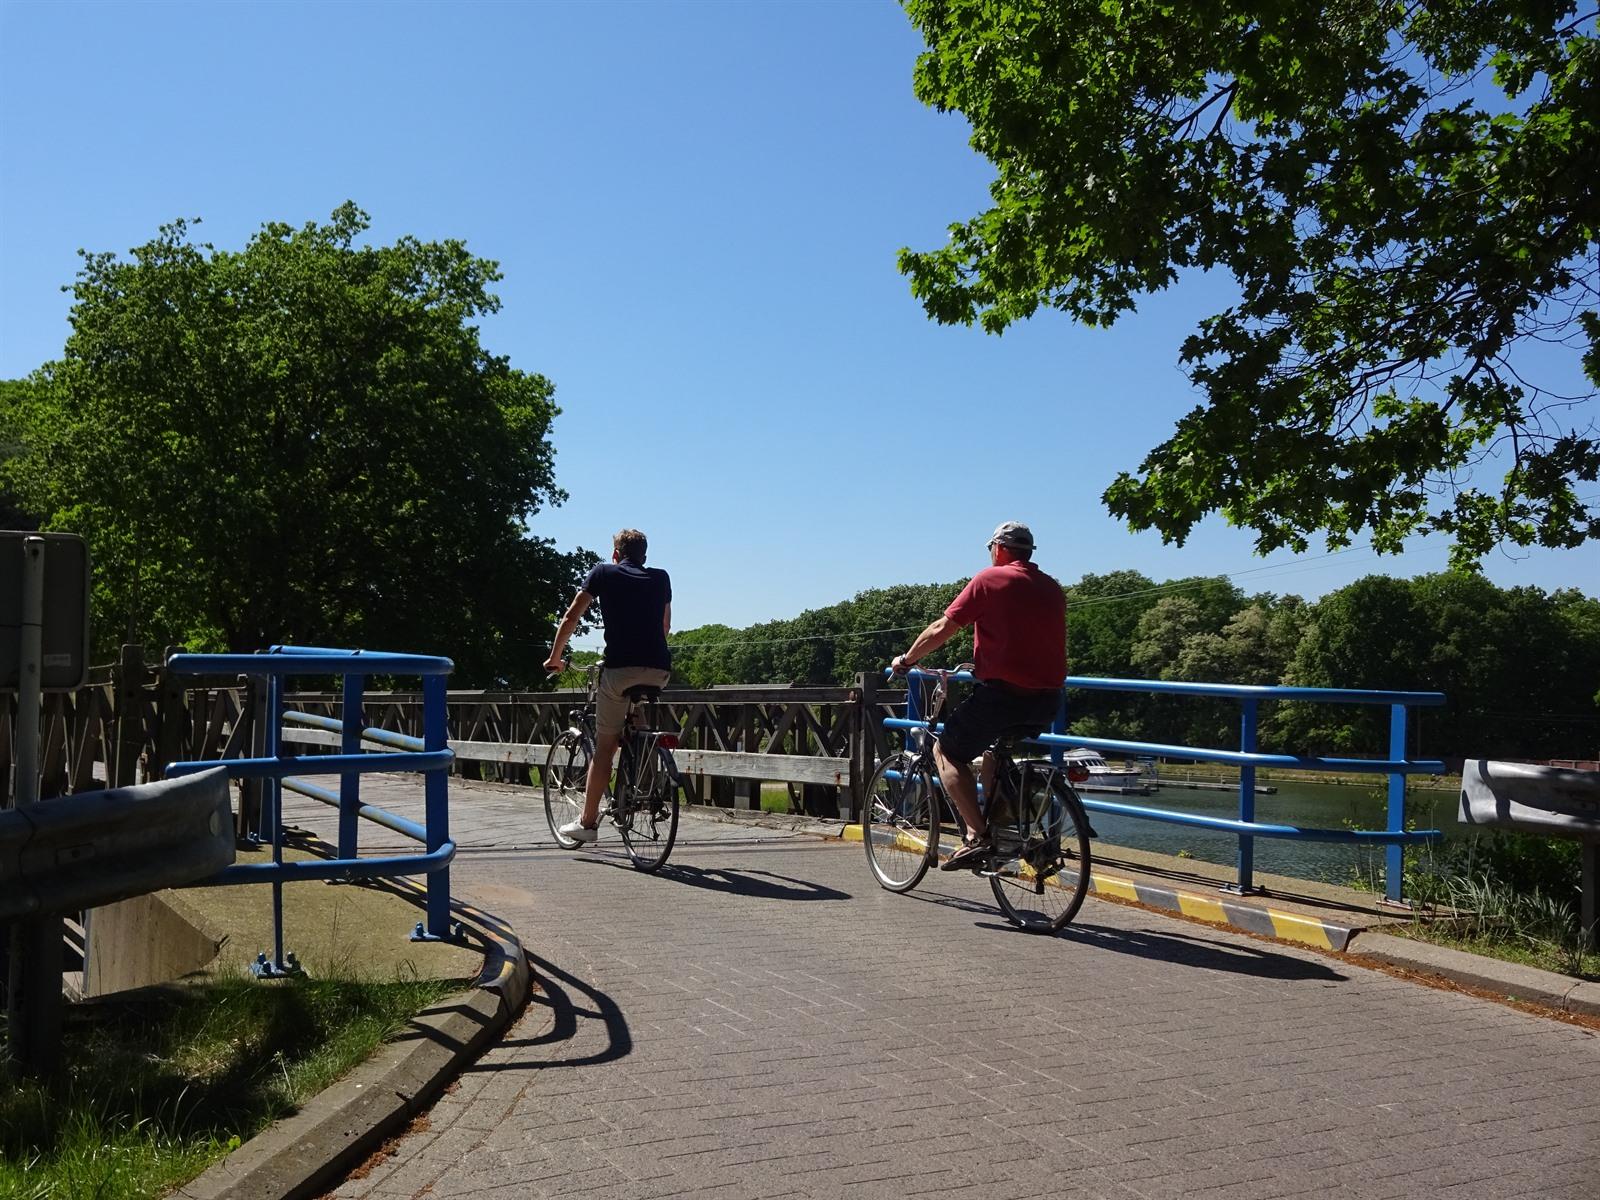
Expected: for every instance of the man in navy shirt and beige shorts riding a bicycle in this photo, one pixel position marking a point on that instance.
(636, 609)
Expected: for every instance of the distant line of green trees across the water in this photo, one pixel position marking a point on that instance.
(1519, 666)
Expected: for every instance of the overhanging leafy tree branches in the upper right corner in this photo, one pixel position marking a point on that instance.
(1404, 196)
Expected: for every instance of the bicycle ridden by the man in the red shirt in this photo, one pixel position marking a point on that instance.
(1041, 862)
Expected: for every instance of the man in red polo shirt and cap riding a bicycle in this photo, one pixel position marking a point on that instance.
(1020, 655)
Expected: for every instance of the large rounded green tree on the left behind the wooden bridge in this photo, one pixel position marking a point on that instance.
(303, 441)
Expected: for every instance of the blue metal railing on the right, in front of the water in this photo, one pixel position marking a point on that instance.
(1249, 758)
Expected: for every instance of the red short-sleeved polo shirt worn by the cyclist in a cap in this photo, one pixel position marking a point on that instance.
(1020, 625)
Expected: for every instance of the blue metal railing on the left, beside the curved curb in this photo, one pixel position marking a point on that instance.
(430, 756)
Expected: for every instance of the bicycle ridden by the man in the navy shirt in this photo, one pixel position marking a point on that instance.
(644, 801)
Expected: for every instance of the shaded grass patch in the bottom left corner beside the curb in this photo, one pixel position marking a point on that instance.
(158, 1087)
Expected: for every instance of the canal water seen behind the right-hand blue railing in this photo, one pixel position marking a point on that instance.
(1306, 806)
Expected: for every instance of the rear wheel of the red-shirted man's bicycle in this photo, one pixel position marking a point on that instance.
(1042, 882)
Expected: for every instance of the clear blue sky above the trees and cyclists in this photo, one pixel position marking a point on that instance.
(697, 209)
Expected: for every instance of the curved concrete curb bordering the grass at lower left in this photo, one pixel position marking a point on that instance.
(302, 1156)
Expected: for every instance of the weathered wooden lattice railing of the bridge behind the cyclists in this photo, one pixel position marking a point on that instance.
(134, 719)
